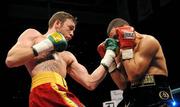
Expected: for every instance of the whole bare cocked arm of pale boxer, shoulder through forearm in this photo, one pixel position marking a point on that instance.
(22, 52)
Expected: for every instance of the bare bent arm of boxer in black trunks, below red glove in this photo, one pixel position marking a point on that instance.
(137, 66)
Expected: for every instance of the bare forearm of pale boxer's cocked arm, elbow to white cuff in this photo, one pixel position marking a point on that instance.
(19, 56)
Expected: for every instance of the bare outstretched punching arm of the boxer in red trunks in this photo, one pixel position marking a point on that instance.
(81, 75)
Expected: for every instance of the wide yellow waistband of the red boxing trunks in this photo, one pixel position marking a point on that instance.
(48, 77)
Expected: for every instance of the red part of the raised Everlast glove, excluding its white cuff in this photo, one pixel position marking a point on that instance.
(126, 37)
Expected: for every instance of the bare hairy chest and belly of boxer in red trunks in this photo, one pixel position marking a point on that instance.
(46, 62)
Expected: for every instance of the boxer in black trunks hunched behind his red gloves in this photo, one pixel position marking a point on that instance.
(140, 68)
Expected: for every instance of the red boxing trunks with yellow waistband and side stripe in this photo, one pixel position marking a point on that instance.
(49, 89)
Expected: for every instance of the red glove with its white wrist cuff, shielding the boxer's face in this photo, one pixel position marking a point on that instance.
(126, 37)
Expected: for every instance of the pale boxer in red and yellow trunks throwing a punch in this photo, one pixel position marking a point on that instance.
(48, 63)
